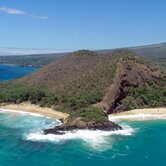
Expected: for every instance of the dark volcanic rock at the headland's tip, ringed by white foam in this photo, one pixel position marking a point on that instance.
(77, 124)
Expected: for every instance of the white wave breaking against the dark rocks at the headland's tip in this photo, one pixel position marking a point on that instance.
(94, 138)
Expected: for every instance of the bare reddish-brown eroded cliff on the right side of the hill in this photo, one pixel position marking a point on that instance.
(128, 74)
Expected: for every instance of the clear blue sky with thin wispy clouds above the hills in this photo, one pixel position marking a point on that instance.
(81, 24)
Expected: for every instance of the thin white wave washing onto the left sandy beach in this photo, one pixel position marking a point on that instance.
(20, 112)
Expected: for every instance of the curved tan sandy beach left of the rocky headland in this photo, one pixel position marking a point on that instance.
(30, 108)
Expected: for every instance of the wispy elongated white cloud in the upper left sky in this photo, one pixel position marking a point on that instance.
(20, 12)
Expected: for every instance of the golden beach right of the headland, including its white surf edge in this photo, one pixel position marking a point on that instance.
(140, 114)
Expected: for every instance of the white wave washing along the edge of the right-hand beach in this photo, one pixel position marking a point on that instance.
(137, 117)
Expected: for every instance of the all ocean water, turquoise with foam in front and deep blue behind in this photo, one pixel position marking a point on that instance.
(22, 142)
